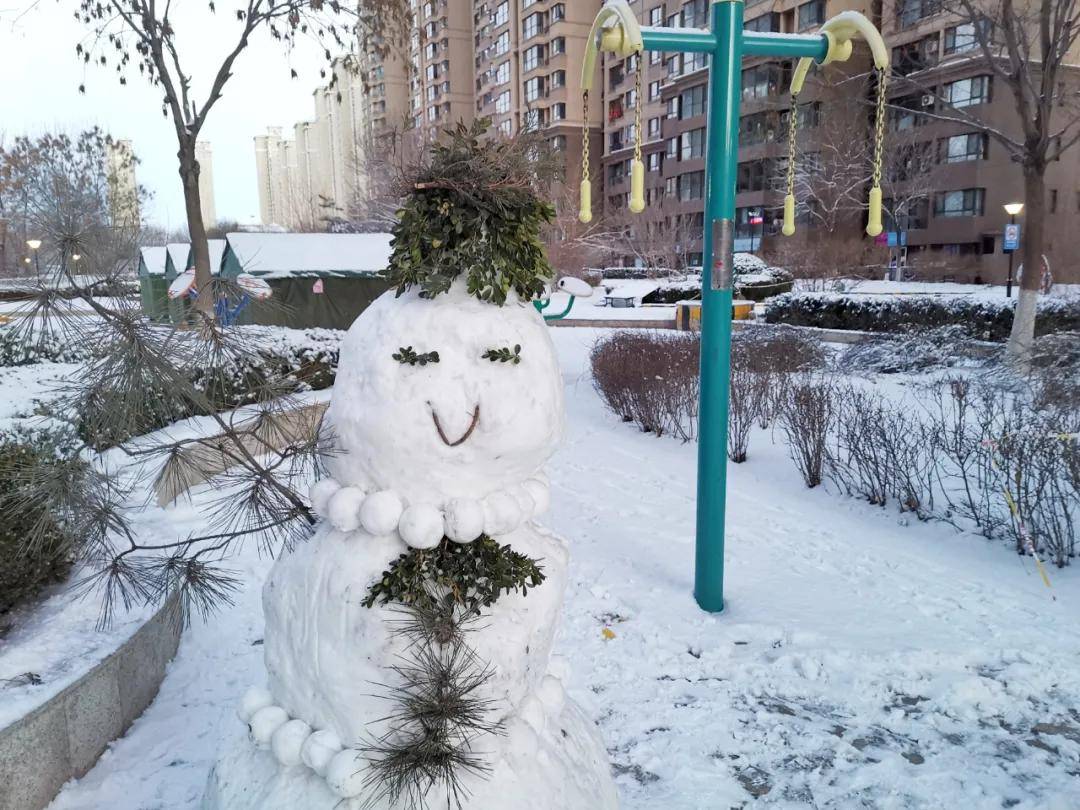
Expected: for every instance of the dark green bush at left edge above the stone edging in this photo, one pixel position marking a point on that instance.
(34, 552)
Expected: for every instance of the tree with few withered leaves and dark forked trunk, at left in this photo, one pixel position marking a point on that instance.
(142, 34)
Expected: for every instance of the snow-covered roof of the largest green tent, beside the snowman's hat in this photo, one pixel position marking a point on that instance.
(287, 254)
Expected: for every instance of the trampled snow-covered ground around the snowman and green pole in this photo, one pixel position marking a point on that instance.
(860, 663)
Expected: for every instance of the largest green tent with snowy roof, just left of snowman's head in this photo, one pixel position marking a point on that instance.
(318, 279)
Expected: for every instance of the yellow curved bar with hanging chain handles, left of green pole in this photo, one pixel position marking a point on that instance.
(615, 31)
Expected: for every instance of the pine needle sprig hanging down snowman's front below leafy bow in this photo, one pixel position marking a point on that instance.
(440, 715)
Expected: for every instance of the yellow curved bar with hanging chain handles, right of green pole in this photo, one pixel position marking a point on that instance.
(839, 32)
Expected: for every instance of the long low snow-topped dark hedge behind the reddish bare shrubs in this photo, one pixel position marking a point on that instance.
(979, 318)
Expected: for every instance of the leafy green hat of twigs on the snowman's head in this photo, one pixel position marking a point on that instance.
(475, 210)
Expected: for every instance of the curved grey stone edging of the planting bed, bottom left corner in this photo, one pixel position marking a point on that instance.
(63, 738)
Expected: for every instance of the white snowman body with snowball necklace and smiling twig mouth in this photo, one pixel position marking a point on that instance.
(456, 444)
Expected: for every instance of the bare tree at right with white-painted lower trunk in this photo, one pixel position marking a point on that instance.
(1028, 47)
